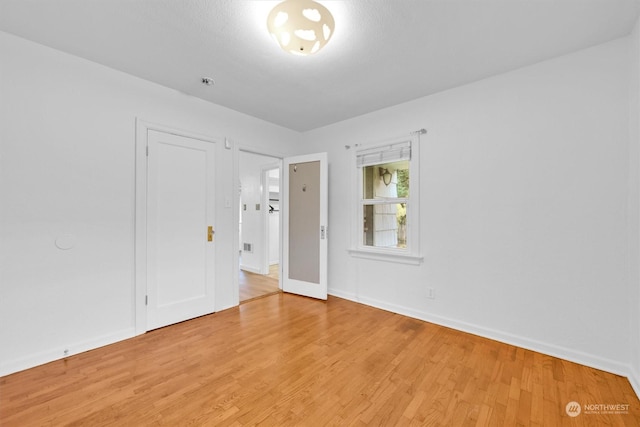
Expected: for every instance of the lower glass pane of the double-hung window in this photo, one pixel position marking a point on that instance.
(385, 225)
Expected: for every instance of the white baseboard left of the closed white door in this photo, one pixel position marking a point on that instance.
(47, 356)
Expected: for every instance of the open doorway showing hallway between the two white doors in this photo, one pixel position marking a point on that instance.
(259, 225)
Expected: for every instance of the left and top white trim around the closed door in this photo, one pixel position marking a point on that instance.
(140, 250)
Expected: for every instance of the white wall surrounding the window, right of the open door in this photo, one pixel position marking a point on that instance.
(523, 208)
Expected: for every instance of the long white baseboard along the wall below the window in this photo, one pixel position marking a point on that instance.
(569, 354)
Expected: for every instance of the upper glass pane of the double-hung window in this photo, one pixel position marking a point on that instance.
(386, 180)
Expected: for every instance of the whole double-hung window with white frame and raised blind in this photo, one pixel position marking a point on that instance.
(387, 210)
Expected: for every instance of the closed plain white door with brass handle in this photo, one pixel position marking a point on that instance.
(180, 210)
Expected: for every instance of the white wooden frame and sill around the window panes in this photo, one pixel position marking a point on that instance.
(411, 253)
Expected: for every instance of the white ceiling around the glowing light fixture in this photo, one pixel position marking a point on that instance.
(383, 52)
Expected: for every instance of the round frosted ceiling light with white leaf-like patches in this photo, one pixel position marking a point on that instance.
(301, 27)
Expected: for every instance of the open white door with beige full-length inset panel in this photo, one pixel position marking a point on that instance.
(304, 225)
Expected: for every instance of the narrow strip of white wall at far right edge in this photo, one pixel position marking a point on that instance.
(634, 206)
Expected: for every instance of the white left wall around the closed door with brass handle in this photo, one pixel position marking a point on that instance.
(67, 146)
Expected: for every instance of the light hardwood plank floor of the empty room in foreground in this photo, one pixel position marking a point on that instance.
(289, 360)
